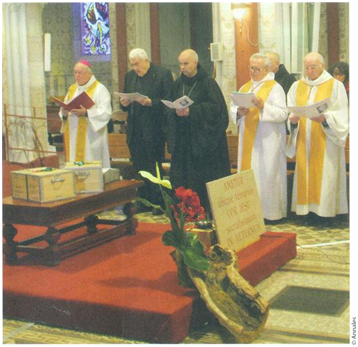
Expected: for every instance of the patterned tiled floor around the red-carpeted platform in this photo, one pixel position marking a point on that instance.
(322, 266)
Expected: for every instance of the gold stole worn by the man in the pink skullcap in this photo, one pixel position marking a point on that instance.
(81, 127)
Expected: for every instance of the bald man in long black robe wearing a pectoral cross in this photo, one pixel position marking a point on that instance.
(197, 134)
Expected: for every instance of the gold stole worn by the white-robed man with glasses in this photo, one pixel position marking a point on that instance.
(252, 121)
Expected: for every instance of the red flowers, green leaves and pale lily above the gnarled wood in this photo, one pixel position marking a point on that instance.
(181, 207)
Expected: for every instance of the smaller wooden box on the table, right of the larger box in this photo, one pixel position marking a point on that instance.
(88, 176)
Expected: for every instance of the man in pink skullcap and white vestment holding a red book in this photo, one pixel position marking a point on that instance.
(86, 135)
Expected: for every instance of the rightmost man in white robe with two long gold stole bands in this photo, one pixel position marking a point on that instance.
(319, 142)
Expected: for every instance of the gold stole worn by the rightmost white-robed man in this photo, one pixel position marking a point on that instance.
(309, 182)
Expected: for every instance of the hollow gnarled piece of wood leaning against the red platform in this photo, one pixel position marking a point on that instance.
(234, 302)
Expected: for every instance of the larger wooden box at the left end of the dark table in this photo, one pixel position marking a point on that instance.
(43, 184)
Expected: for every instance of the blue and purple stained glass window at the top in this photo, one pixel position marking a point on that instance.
(95, 29)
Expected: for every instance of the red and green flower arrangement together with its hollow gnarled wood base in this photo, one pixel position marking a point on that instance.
(237, 305)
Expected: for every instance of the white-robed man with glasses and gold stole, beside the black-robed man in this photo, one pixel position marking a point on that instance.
(262, 137)
